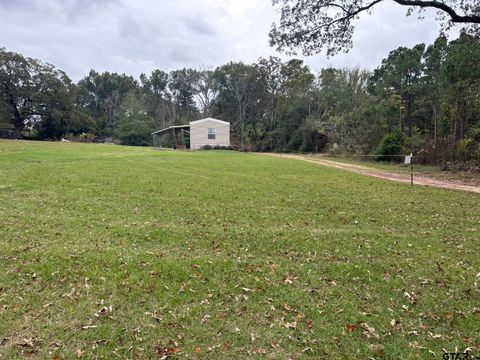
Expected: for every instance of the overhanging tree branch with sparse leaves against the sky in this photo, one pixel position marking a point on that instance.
(314, 25)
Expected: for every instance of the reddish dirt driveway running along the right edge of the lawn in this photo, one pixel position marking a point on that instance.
(382, 174)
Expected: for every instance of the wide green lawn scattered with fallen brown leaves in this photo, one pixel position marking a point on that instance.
(228, 255)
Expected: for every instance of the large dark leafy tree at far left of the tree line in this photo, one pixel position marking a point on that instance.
(39, 96)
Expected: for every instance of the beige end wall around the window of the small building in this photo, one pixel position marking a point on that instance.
(199, 134)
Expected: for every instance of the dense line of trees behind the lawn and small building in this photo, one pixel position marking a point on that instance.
(424, 99)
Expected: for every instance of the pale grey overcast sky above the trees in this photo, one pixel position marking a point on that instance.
(135, 36)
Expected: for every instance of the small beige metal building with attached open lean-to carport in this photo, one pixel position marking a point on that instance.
(209, 131)
